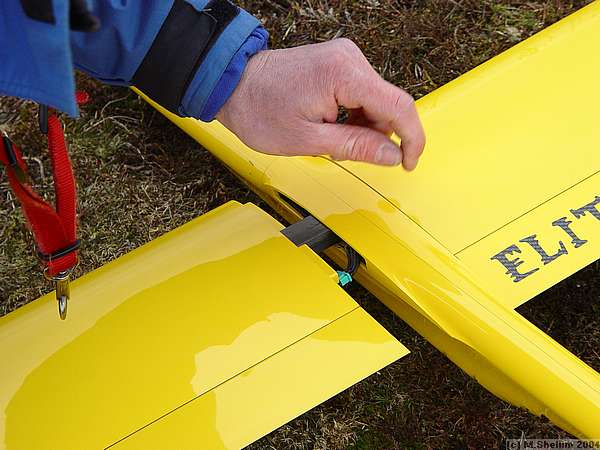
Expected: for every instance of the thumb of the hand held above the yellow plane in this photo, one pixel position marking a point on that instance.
(350, 142)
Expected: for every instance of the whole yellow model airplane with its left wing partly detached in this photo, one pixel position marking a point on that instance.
(226, 328)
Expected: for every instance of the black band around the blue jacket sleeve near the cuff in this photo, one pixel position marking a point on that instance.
(179, 48)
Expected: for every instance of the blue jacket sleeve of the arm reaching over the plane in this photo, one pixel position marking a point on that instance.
(128, 31)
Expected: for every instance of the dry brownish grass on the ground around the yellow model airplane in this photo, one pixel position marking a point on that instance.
(139, 177)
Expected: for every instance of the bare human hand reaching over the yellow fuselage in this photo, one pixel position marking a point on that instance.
(287, 104)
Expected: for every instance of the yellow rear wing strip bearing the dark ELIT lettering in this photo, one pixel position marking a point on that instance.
(547, 244)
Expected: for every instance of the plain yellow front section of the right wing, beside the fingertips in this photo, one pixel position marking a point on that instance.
(505, 137)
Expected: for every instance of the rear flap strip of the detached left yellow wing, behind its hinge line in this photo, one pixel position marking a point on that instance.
(275, 391)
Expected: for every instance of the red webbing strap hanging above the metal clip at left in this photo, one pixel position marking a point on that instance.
(54, 230)
